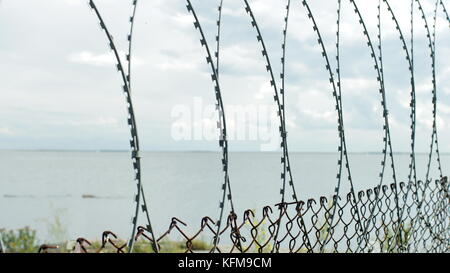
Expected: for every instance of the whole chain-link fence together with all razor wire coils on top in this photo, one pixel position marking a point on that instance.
(386, 218)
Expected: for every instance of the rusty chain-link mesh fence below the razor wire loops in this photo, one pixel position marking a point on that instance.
(306, 226)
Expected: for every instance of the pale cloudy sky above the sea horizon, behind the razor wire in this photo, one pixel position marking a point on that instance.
(60, 88)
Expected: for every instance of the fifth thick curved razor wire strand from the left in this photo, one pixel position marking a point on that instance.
(387, 136)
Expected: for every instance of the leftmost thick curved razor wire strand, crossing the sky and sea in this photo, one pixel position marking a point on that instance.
(134, 142)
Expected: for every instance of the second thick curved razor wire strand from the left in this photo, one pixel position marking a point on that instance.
(223, 142)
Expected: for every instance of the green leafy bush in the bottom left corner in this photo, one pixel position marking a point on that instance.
(23, 240)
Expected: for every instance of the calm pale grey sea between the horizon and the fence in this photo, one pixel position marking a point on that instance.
(89, 192)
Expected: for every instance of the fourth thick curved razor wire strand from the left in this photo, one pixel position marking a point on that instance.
(342, 148)
